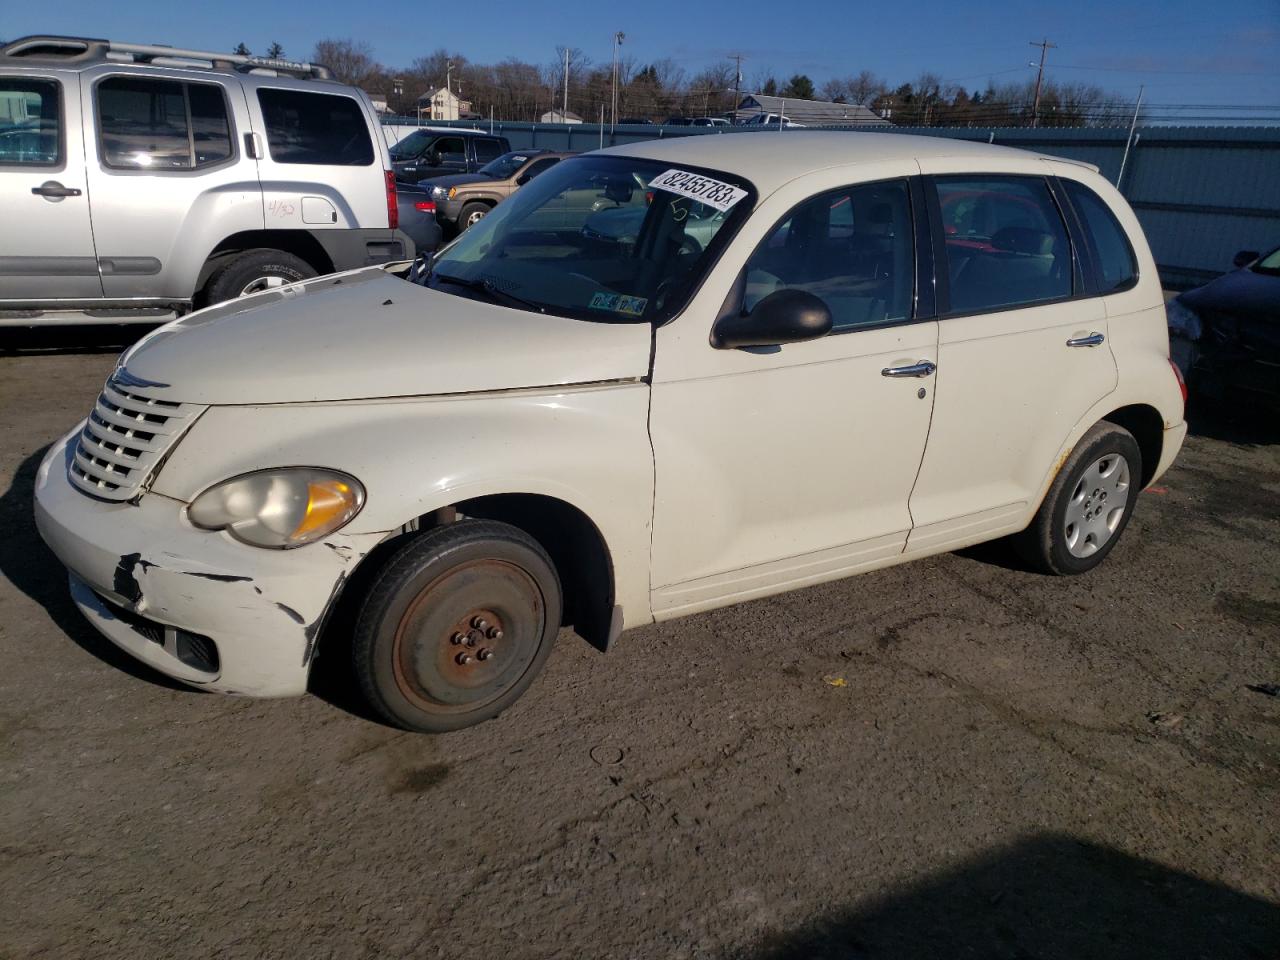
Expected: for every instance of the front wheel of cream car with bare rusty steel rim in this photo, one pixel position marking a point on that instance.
(458, 627)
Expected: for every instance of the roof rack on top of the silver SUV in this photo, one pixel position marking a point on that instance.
(83, 49)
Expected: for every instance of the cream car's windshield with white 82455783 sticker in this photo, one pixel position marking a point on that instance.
(606, 239)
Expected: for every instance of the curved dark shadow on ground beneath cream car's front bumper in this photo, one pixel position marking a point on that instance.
(33, 568)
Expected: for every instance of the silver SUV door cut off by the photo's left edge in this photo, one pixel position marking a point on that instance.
(47, 245)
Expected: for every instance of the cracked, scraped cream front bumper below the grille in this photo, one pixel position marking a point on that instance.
(159, 588)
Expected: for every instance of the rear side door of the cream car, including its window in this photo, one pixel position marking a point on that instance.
(1022, 356)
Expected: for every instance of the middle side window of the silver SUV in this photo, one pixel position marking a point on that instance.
(159, 125)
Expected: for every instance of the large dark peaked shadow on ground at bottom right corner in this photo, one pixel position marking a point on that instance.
(1049, 898)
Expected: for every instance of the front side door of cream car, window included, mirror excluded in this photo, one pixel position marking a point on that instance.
(784, 467)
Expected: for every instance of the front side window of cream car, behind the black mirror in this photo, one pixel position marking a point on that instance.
(852, 248)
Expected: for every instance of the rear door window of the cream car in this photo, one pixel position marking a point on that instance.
(1005, 240)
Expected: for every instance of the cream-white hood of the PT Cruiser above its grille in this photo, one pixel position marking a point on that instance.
(369, 335)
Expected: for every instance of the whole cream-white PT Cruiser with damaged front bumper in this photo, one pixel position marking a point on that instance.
(806, 356)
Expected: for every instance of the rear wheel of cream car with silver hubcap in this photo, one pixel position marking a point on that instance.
(1087, 506)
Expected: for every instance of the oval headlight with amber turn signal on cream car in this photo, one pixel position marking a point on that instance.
(280, 509)
